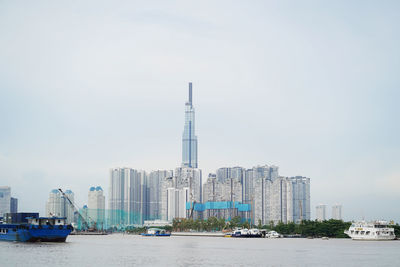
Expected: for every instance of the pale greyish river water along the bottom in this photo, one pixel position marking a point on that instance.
(132, 250)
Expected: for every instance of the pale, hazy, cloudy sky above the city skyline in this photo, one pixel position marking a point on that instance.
(309, 86)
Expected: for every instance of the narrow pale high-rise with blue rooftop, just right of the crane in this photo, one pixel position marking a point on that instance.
(96, 206)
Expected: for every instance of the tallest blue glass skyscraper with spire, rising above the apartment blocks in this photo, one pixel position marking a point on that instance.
(189, 139)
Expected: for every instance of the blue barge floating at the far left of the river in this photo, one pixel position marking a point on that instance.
(29, 227)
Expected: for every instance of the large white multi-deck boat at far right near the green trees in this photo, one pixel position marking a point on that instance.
(377, 230)
